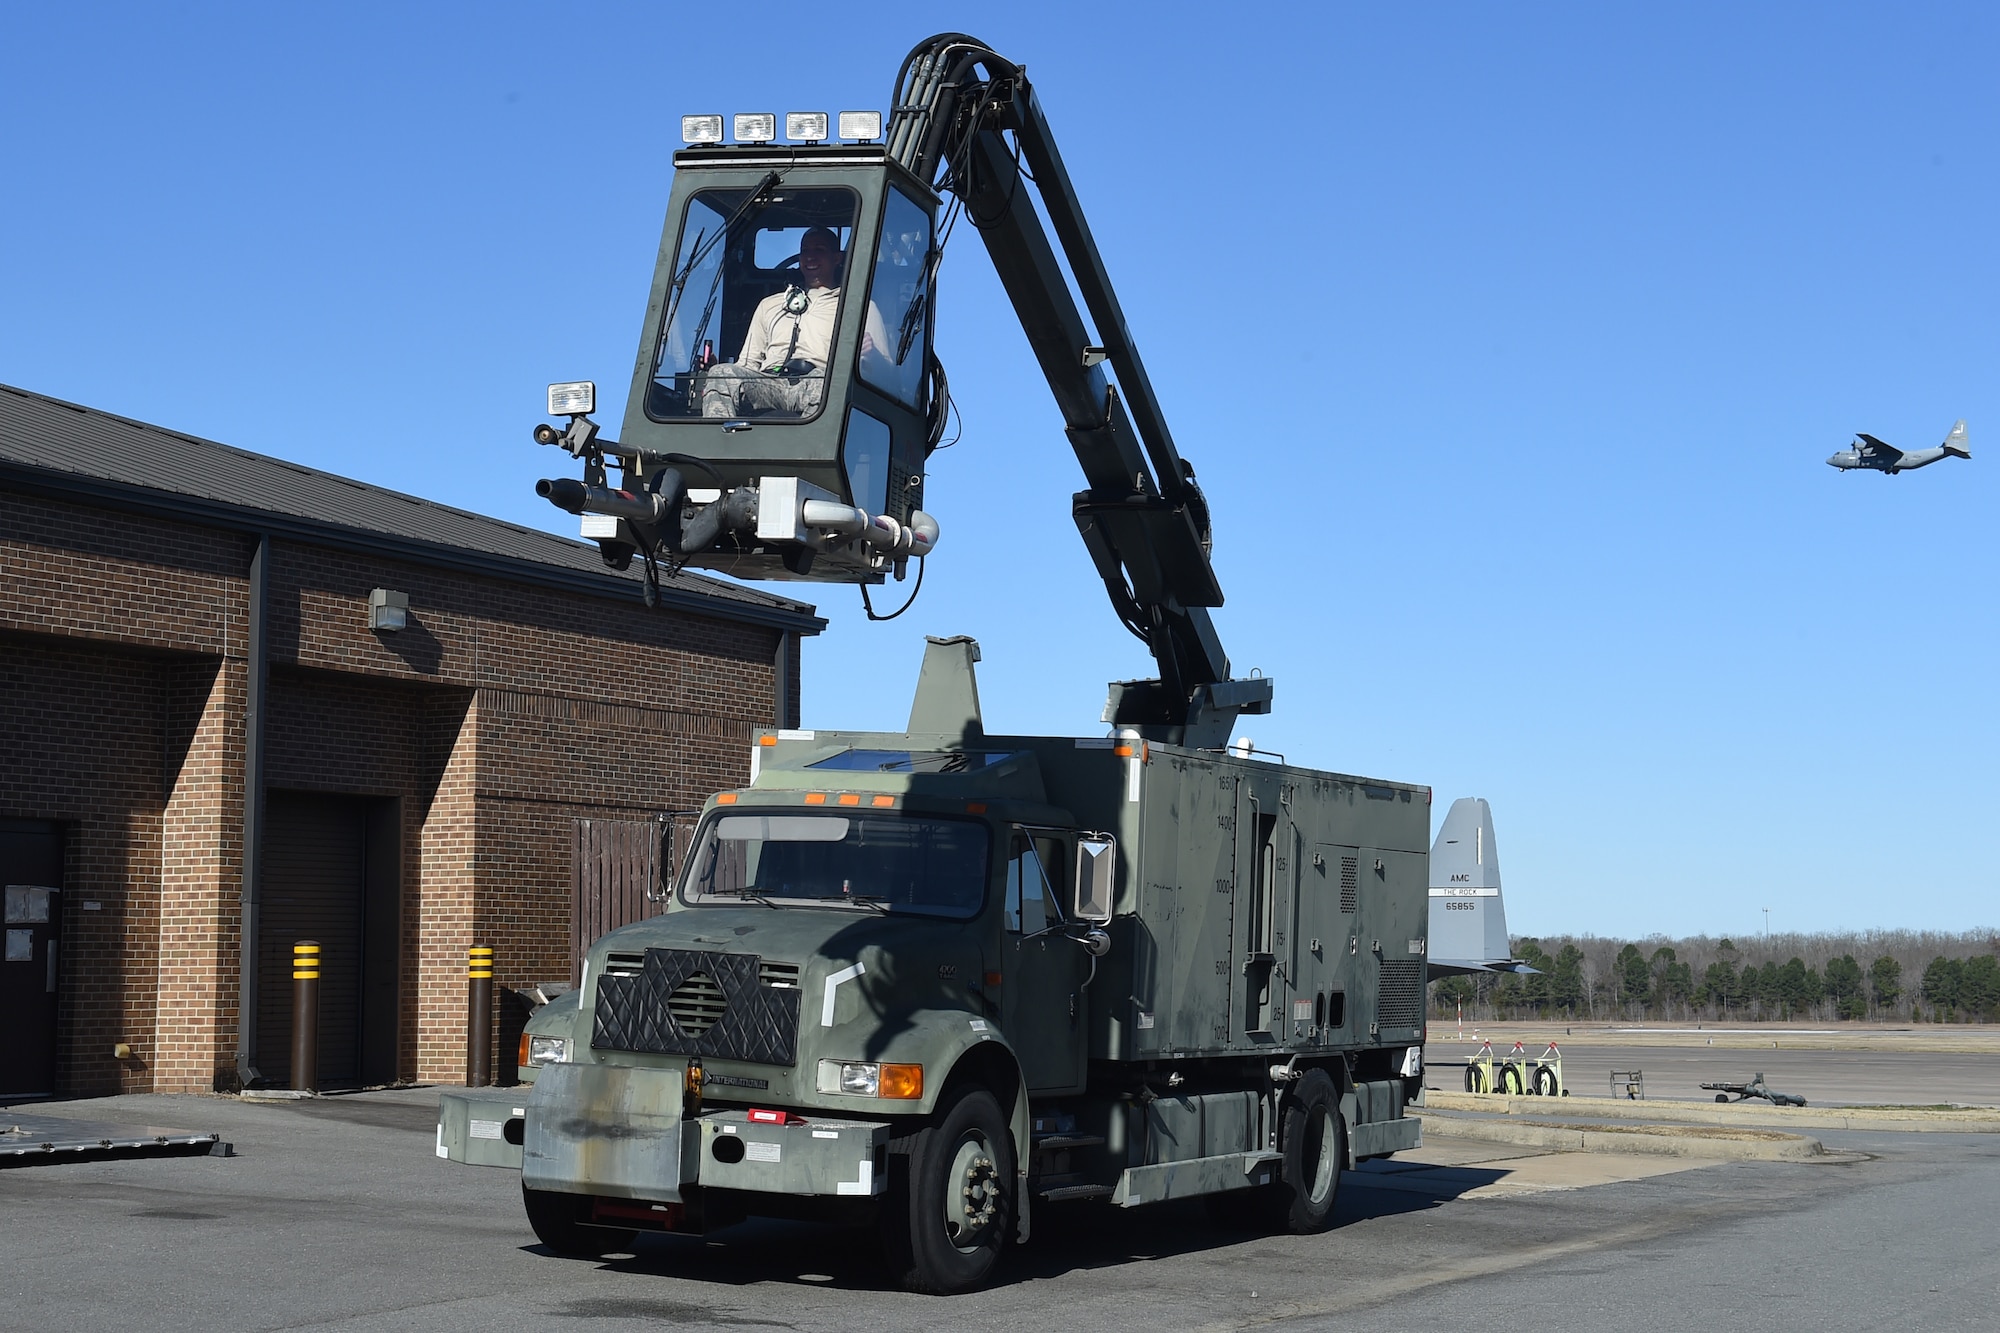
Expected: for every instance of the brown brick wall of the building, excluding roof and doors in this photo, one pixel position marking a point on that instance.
(503, 714)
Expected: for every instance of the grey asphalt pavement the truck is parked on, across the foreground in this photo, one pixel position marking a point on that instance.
(339, 1216)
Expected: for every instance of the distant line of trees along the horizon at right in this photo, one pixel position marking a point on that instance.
(1881, 976)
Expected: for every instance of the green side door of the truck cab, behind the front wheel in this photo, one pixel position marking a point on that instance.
(1043, 970)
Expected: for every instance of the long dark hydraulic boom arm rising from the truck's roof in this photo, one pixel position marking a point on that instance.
(1143, 517)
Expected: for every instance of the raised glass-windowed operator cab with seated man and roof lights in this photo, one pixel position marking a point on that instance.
(785, 373)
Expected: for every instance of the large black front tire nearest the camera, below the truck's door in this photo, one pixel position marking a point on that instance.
(951, 1198)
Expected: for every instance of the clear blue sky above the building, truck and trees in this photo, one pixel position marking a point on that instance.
(1509, 343)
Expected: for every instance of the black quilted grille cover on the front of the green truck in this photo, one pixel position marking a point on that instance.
(757, 1024)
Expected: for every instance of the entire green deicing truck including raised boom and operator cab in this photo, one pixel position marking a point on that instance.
(937, 980)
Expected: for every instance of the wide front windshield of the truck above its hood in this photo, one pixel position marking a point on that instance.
(895, 864)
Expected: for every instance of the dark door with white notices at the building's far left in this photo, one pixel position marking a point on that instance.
(31, 868)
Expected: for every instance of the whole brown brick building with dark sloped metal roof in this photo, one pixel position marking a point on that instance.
(185, 623)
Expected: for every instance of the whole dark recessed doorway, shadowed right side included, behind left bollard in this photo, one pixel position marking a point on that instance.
(331, 876)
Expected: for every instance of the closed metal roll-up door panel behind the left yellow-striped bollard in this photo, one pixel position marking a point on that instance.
(315, 888)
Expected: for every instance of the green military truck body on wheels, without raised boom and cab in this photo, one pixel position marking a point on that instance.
(939, 980)
